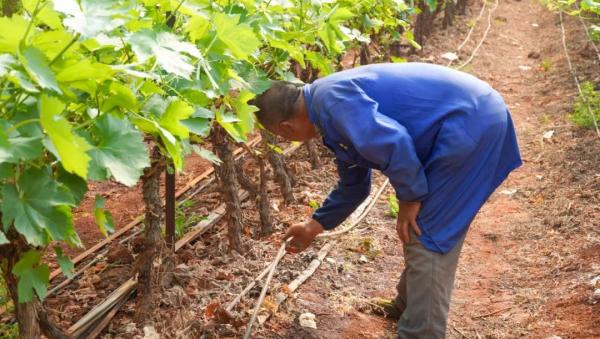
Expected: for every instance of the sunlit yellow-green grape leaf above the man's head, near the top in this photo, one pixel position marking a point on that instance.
(239, 38)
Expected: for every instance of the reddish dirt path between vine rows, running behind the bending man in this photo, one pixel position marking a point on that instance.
(530, 254)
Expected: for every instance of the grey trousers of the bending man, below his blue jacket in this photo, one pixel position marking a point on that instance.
(425, 289)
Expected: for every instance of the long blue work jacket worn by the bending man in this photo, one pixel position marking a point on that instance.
(443, 137)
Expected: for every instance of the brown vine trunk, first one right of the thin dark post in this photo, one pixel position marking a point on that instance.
(228, 183)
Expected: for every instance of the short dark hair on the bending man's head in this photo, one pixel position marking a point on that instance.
(277, 103)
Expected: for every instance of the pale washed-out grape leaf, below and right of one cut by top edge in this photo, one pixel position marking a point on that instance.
(171, 54)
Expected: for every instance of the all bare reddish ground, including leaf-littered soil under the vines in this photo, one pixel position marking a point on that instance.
(528, 259)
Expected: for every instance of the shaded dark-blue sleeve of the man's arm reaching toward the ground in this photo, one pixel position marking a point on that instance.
(352, 189)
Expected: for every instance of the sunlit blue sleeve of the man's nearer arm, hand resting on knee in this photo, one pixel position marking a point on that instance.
(382, 141)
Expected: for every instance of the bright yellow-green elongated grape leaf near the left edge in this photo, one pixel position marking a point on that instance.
(70, 147)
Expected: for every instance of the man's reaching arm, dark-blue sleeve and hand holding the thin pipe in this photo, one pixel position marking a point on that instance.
(352, 189)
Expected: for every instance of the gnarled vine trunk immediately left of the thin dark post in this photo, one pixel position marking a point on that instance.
(153, 241)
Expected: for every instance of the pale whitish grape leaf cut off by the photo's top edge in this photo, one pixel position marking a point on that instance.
(92, 17)
